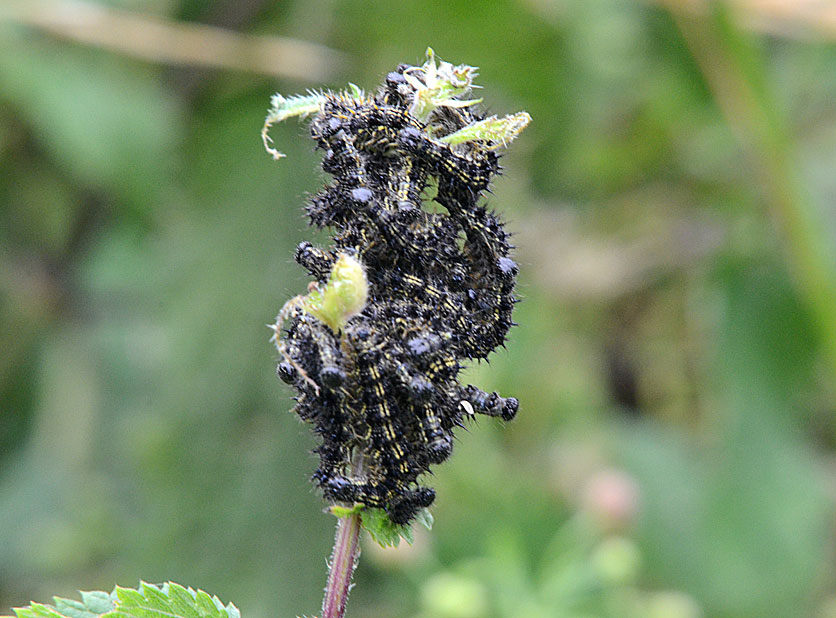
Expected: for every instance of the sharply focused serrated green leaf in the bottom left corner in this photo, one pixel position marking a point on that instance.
(169, 600)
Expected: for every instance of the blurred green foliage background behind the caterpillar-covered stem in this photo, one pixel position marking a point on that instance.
(673, 205)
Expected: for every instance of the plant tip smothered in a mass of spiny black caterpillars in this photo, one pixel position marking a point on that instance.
(407, 291)
